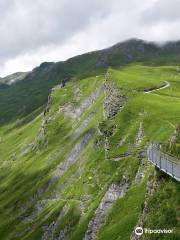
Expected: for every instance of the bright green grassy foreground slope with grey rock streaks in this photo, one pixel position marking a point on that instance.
(78, 170)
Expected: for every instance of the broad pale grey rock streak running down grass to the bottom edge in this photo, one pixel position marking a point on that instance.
(114, 192)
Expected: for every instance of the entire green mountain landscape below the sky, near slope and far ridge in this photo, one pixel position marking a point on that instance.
(74, 140)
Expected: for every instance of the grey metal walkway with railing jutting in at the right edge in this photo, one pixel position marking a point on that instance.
(163, 161)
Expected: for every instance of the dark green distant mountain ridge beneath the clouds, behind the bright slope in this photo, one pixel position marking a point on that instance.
(23, 97)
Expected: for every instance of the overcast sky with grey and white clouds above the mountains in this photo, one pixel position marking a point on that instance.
(32, 32)
